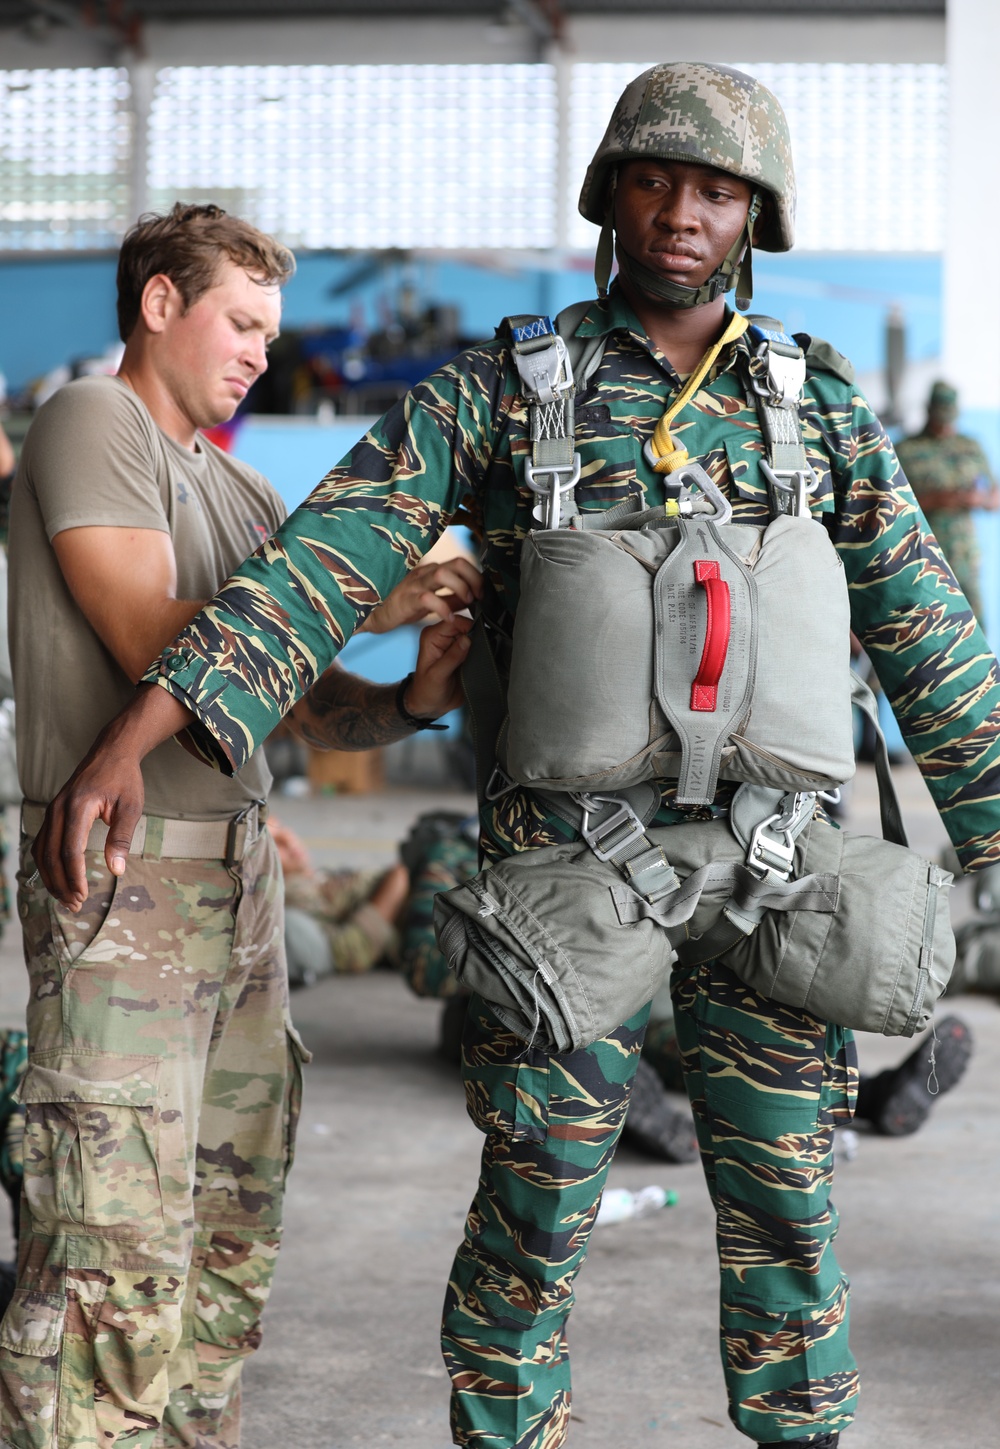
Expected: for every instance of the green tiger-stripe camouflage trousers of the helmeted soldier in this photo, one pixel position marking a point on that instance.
(769, 1085)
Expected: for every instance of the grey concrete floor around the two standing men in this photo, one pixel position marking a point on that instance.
(388, 1163)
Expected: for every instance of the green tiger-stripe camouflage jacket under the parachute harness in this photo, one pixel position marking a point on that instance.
(459, 441)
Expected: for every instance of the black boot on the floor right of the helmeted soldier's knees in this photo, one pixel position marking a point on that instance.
(899, 1101)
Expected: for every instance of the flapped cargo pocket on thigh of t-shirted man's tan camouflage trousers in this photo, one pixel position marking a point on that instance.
(91, 1145)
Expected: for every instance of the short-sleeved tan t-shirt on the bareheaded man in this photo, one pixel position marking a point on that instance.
(95, 457)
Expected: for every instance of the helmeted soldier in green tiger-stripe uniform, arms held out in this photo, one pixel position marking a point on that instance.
(691, 151)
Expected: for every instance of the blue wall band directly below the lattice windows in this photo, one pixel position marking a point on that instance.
(62, 309)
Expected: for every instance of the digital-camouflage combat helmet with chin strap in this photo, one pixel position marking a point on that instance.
(714, 117)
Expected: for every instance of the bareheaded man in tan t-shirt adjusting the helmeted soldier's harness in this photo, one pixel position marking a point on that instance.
(164, 1073)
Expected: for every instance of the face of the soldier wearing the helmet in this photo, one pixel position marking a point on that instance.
(678, 218)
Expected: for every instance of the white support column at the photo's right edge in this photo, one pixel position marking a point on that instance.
(972, 322)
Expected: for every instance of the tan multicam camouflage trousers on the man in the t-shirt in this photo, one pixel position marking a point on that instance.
(162, 1101)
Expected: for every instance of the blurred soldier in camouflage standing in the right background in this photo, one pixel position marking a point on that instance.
(950, 476)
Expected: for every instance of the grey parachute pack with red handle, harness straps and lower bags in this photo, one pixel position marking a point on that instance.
(673, 644)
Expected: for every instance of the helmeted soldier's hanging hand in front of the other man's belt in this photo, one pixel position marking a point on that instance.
(107, 786)
